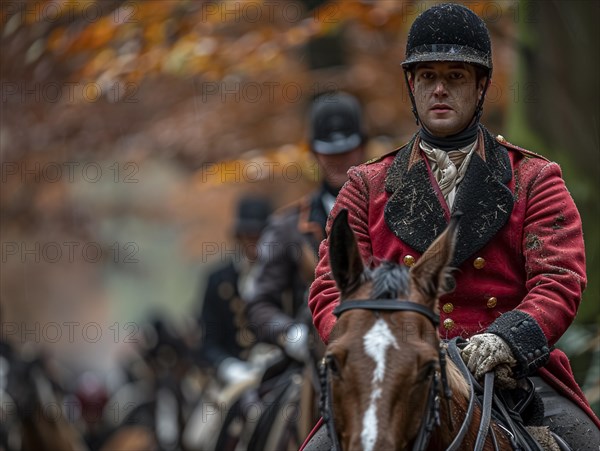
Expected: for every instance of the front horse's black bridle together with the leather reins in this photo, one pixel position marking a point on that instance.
(432, 418)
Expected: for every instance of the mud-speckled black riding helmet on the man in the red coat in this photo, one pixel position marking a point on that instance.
(448, 32)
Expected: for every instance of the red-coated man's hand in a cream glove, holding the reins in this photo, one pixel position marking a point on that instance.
(486, 351)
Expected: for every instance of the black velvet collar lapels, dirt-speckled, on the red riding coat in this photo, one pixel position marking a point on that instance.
(416, 216)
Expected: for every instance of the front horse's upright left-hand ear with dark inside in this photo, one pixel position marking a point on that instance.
(344, 257)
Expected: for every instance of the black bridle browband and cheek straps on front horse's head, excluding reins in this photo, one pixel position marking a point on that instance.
(432, 418)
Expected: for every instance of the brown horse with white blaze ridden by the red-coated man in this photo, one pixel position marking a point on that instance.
(385, 372)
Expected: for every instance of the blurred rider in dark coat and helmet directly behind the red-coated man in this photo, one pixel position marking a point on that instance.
(275, 292)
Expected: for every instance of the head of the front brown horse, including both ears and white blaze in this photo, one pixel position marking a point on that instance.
(383, 363)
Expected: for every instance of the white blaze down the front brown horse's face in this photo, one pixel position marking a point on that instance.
(375, 343)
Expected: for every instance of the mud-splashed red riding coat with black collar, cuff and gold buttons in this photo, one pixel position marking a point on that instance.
(519, 256)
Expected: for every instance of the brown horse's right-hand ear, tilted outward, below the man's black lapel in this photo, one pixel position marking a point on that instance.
(429, 276)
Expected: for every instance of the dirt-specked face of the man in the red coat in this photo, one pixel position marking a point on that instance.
(446, 95)
